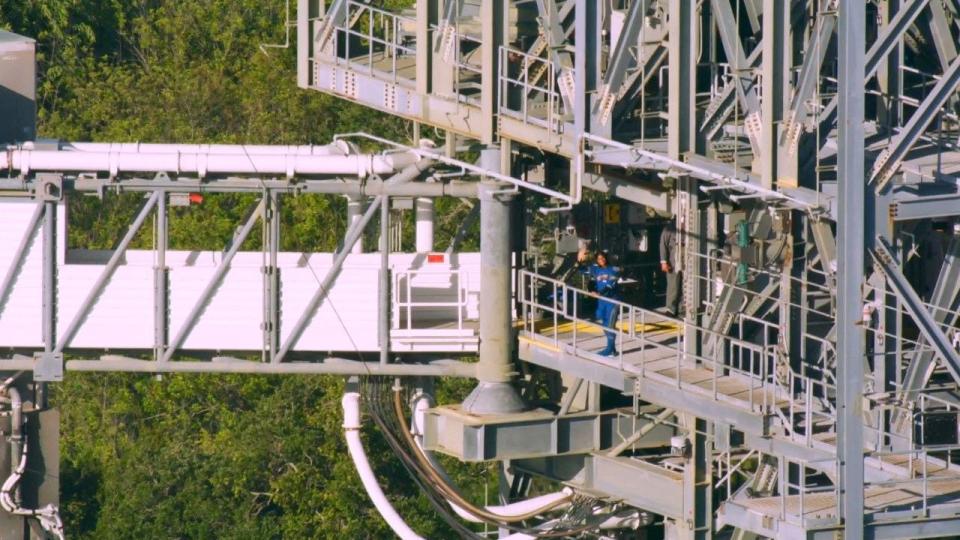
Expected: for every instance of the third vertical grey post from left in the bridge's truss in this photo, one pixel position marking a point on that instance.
(271, 276)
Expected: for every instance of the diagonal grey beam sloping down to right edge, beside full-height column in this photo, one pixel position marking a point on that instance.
(931, 330)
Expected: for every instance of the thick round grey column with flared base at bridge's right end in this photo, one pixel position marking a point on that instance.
(495, 392)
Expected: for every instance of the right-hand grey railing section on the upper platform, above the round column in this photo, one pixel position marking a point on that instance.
(528, 89)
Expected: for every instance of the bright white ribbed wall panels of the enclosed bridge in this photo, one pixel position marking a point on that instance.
(122, 317)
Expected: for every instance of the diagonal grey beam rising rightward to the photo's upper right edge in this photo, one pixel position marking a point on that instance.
(889, 161)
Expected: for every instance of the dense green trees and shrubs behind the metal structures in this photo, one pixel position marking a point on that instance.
(195, 457)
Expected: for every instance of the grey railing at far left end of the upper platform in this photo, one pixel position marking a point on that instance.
(374, 40)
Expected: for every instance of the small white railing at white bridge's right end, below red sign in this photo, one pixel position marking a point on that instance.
(408, 302)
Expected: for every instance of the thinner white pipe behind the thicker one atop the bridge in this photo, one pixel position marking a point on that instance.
(335, 149)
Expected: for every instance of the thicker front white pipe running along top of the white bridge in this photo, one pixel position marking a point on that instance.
(204, 163)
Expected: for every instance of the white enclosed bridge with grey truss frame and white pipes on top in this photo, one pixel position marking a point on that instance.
(166, 310)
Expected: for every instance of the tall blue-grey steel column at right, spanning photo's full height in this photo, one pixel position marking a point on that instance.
(851, 242)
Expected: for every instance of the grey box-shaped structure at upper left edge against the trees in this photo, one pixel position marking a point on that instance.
(18, 75)
